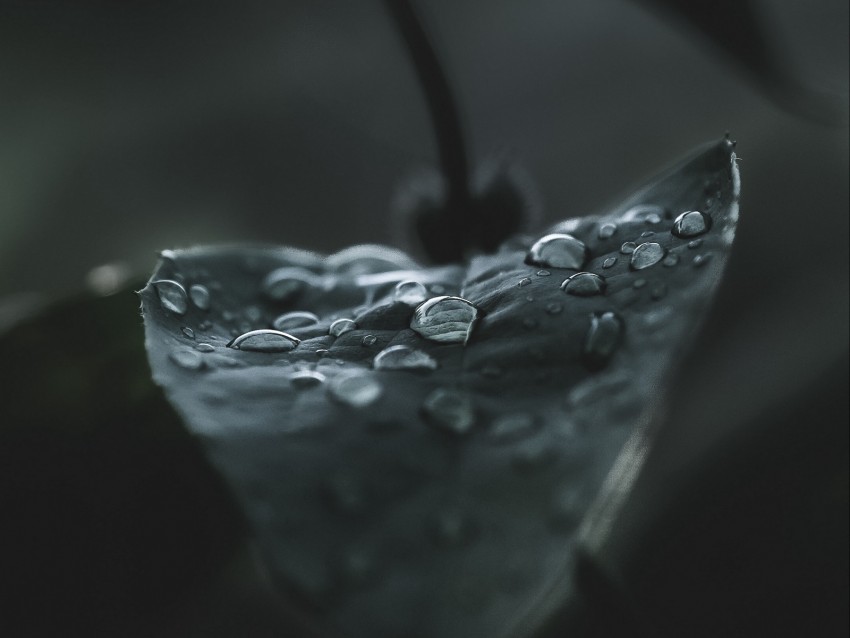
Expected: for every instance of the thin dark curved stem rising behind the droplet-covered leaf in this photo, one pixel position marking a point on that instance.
(441, 103)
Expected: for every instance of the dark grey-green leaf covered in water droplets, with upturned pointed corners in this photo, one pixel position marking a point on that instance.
(437, 489)
